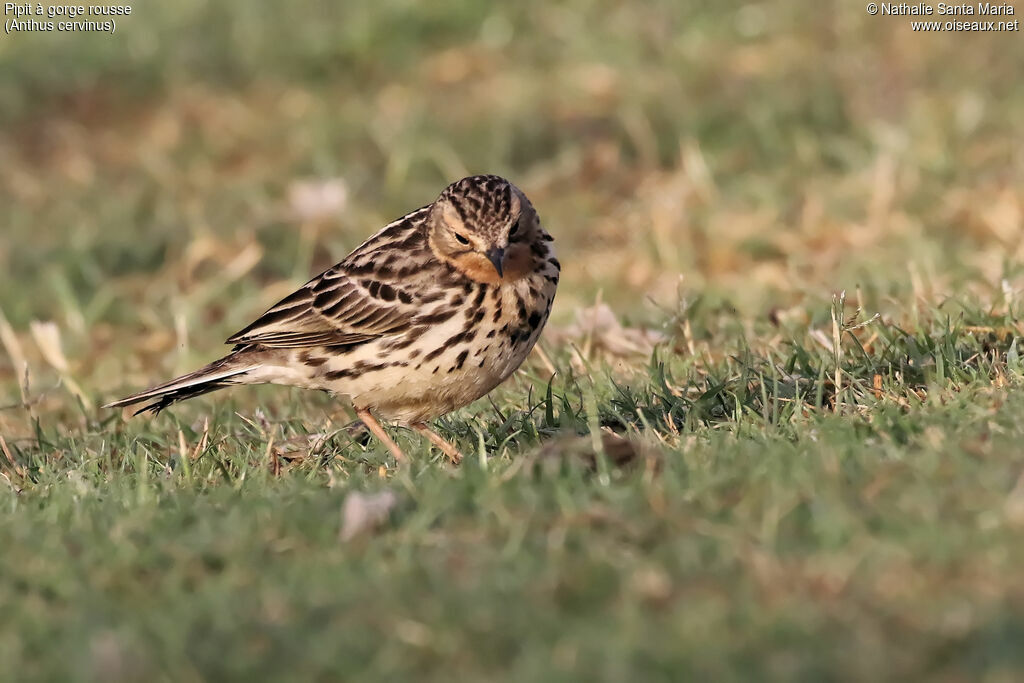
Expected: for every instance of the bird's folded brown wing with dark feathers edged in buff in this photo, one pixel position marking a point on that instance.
(353, 303)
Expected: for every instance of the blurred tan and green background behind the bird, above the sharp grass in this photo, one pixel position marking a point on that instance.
(162, 186)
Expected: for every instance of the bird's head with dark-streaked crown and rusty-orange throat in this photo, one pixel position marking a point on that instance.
(483, 226)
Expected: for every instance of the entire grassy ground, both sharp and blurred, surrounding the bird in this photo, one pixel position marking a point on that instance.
(800, 490)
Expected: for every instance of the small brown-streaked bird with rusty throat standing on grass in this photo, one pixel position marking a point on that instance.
(429, 315)
